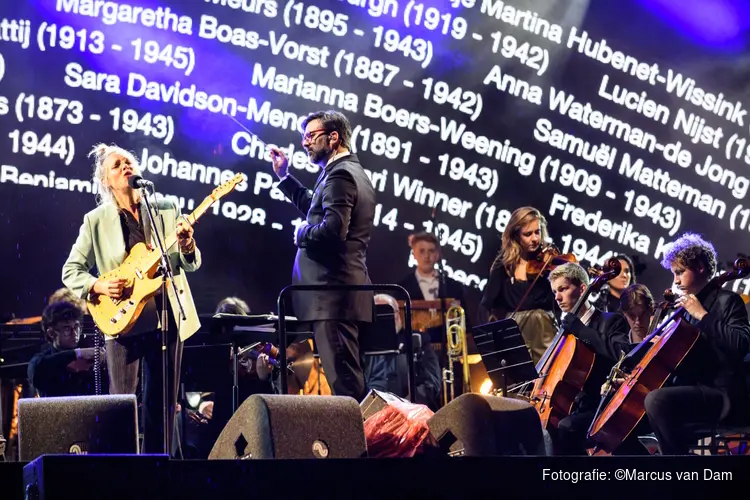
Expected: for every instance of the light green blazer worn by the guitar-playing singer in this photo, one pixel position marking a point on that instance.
(101, 243)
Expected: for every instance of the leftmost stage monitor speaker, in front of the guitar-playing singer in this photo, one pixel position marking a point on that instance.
(77, 425)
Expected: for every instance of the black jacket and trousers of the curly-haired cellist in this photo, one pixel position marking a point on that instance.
(709, 387)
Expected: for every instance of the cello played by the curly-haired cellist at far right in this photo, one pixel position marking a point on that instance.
(622, 413)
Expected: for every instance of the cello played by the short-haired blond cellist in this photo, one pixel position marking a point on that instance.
(567, 363)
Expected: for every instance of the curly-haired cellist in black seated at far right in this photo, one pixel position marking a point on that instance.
(708, 387)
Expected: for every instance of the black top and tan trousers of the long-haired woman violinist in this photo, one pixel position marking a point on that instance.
(535, 318)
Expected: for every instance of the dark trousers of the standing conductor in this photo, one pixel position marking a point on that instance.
(338, 346)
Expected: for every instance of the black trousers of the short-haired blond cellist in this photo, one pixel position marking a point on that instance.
(570, 437)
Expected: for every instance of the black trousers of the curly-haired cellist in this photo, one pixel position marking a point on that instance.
(675, 412)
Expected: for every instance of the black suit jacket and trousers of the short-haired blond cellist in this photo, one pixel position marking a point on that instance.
(607, 334)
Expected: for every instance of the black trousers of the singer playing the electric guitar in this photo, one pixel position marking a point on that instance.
(124, 356)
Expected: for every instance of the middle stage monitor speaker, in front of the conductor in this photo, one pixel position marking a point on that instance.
(288, 426)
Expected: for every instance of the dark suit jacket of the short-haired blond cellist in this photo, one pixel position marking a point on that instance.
(606, 335)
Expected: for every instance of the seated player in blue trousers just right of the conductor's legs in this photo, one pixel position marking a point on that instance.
(390, 373)
